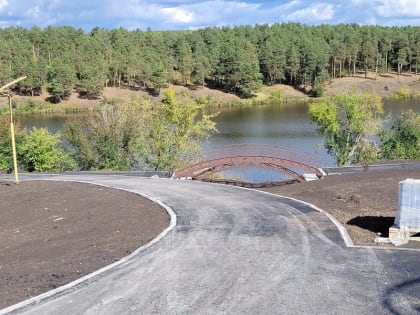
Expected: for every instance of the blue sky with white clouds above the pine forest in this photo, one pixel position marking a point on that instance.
(191, 14)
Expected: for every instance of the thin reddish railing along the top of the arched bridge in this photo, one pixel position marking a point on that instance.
(261, 150)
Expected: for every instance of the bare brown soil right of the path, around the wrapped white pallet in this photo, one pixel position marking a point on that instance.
(365, 203)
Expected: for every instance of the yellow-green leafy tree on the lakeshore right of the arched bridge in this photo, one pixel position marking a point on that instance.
(348, 121)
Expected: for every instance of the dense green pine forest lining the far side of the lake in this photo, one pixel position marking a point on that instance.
(235, 59)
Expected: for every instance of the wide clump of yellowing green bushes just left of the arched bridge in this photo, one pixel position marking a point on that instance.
(142, 136)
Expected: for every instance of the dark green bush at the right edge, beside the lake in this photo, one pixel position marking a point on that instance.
(402, 140)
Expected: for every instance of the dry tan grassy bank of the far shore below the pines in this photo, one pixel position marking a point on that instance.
(386, 85)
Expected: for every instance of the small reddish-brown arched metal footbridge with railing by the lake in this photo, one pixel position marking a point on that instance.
(288, 161)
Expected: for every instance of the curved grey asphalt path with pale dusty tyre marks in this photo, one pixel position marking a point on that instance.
(237, 251)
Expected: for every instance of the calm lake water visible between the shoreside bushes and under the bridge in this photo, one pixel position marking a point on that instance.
(282, 125)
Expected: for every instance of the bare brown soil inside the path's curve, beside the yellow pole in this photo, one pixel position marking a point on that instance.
(52, 233)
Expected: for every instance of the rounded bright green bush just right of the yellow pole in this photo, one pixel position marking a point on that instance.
(41, 151)
